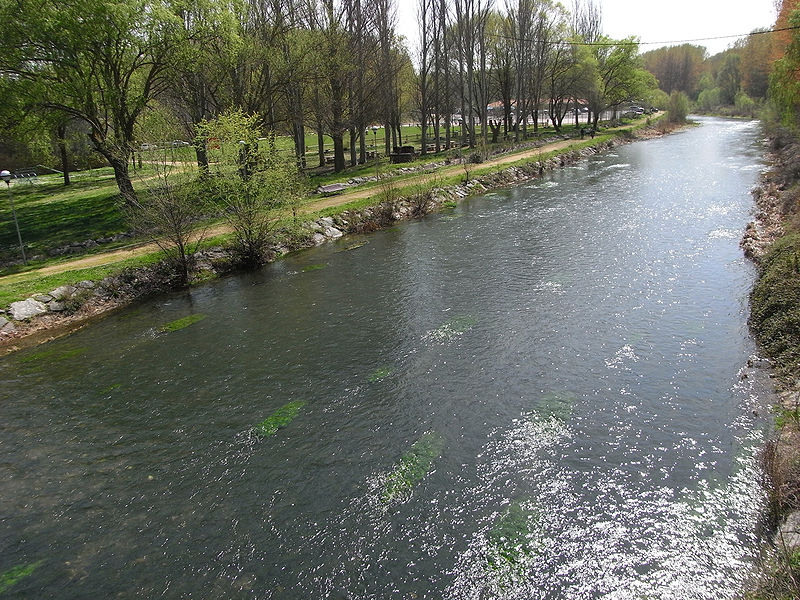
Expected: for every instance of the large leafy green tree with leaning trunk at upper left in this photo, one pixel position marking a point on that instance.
(99, 62)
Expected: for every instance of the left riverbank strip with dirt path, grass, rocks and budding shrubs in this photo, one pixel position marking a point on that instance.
(66, 294)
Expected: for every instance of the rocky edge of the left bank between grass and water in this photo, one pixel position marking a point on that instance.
(67, 308)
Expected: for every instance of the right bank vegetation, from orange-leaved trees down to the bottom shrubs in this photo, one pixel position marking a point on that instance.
(773, 241)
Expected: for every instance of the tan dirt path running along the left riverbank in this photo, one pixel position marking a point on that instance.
(115, 256)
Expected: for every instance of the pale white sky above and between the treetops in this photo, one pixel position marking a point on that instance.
(656, 21)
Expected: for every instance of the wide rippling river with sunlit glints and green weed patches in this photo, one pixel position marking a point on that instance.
(542, 393)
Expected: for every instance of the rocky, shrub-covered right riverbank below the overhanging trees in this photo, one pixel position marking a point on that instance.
(772, 240)
